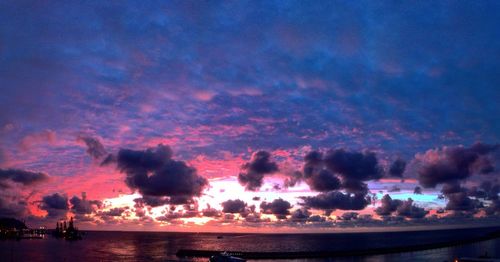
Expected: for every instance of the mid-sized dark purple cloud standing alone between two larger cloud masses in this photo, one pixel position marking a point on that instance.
(252, 173)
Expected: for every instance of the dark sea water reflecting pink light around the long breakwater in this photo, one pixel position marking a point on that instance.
(147, 246)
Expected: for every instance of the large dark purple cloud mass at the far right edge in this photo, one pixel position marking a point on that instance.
(451, 164)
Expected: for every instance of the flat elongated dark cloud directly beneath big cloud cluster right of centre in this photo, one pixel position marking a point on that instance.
(336, 200)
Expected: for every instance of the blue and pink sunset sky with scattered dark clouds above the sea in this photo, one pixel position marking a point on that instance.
(258, 116)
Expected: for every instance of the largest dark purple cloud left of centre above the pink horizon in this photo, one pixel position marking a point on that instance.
(153, 172)
